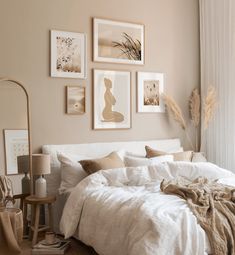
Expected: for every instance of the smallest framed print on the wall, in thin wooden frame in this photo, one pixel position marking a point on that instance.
(75, 100)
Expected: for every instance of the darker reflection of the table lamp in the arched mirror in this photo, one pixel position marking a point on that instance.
(23, 168)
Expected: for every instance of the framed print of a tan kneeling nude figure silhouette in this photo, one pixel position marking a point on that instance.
(112, 99)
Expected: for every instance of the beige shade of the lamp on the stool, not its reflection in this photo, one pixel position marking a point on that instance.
(41, 164)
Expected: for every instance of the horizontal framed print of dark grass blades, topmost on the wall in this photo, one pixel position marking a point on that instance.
(118, 42)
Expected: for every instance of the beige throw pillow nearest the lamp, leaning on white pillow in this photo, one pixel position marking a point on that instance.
(108, 162)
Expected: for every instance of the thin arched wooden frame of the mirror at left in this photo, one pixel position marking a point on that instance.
(6, 79)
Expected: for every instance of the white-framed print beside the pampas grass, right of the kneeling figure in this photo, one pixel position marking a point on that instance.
(150, 87)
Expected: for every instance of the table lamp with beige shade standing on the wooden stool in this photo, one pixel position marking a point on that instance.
(41, 166)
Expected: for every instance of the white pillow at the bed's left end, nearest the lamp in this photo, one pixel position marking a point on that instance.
(71, 171)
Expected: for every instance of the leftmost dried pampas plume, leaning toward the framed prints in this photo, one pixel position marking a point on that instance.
(175, 110)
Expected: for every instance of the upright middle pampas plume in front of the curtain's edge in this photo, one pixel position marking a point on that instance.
(194, 106)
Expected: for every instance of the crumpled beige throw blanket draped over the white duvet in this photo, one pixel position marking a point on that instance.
(214, 206)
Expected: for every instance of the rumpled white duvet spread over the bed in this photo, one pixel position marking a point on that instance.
(122, 211)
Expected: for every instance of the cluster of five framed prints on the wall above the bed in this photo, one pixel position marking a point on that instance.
(117, 43)
